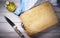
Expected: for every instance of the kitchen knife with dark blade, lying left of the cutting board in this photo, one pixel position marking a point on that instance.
(22, 35)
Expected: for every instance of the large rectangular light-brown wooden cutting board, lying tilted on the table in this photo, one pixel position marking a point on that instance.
(39, 18)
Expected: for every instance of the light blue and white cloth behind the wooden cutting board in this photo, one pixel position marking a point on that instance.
(24, 5)
